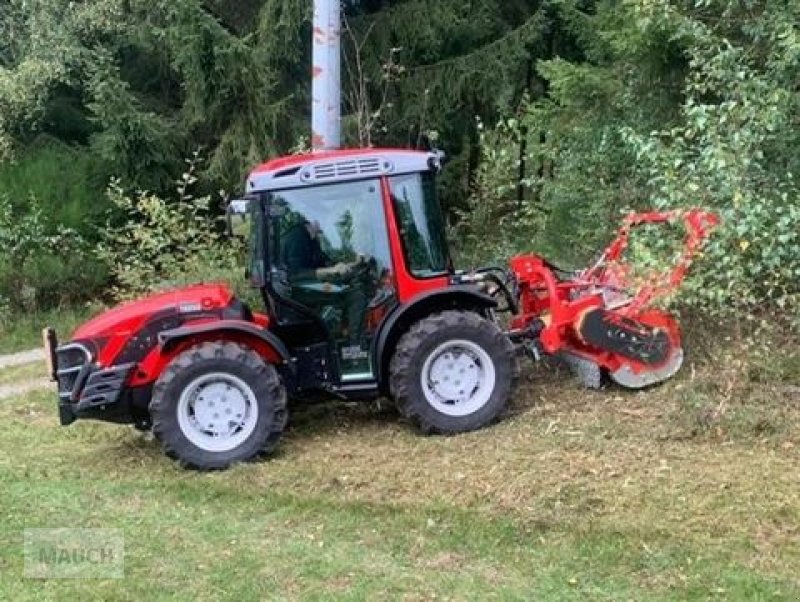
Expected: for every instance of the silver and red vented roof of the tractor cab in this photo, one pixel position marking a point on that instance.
(345, 165)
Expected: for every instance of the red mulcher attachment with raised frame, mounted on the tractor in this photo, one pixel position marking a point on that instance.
(597, 320)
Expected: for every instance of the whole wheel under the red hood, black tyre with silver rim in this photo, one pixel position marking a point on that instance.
(216, 404)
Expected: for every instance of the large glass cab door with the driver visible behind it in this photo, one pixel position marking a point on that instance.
(330, 268)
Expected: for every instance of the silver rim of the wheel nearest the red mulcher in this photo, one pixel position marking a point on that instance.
(458, 378)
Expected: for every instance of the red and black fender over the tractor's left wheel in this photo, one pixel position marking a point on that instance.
(174, 342)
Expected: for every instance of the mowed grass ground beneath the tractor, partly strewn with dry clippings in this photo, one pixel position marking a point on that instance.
(690, 491)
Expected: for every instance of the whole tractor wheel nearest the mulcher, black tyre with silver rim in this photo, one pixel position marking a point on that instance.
(453, 372)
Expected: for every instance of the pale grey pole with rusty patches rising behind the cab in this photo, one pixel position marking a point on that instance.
(326, 92)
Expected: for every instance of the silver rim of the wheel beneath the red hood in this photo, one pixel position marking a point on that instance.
(217, 412)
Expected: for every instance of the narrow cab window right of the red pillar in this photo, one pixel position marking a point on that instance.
(422, 226)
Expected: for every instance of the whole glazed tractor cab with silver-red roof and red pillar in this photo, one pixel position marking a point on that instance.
(338, 241)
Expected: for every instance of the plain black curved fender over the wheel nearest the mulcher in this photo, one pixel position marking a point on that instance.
(400, 320)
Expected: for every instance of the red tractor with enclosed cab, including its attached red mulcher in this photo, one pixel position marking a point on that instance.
(360, 300)
